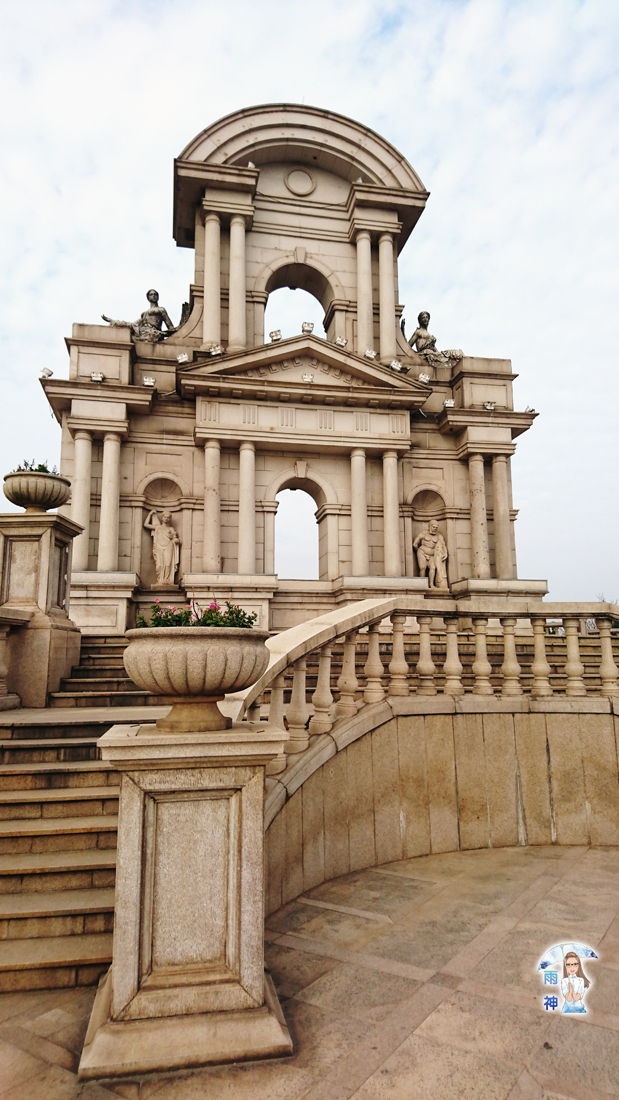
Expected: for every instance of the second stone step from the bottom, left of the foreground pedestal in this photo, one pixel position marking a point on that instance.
(59, 914)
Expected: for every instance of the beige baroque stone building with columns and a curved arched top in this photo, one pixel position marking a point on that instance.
(209, 423)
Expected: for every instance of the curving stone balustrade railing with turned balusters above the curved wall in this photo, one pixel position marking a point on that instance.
(341, 663)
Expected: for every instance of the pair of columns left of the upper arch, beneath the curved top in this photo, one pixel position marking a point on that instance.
(237, 303)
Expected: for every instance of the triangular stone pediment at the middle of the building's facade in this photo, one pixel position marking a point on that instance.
(303, 361)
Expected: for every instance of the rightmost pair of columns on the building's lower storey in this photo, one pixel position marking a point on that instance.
(480, 553)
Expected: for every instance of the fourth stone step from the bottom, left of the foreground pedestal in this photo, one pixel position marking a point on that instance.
(58, 834)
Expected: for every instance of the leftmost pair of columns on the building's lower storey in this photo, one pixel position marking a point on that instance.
(108, 557)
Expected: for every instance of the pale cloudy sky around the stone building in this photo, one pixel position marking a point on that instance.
(507, 109)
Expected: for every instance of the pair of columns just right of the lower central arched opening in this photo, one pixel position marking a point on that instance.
(391, 515)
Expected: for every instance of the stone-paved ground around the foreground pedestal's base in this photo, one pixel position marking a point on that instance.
(411, 982)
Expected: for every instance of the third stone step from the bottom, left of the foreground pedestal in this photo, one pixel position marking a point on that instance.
(46, 872)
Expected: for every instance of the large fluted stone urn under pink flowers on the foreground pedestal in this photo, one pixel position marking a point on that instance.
(194, 667)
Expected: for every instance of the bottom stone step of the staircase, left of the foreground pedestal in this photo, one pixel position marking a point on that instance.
(54, 962)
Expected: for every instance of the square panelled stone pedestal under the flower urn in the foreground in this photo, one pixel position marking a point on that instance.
(187, 985)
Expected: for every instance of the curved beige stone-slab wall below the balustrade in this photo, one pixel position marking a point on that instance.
(423, 784)
